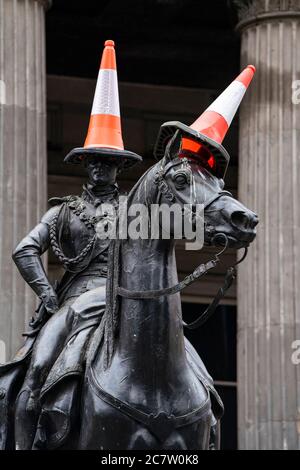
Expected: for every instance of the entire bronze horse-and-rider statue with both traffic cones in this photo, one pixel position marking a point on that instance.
(106, 365)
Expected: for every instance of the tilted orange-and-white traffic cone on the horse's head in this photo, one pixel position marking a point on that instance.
(204, 137)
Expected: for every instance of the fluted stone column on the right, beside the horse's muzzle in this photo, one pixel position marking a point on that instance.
(269, 182)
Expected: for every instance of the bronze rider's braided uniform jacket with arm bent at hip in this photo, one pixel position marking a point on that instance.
(70, 227)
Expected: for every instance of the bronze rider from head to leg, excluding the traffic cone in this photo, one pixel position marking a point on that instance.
(63, 323)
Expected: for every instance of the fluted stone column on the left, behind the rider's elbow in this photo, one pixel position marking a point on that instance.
(23, 157)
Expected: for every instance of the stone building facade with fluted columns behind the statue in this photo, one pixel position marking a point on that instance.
(264, 173)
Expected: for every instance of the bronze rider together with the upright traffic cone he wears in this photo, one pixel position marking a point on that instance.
(66, 316)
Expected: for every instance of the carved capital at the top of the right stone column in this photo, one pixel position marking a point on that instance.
(256, 11)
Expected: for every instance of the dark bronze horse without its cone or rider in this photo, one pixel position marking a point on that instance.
(145, 385)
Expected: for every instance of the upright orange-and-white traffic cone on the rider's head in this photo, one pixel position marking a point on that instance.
(104, 137)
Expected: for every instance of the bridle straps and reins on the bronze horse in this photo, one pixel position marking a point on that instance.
(165, 189)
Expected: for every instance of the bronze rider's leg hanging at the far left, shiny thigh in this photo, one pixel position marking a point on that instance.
(46, 349)
